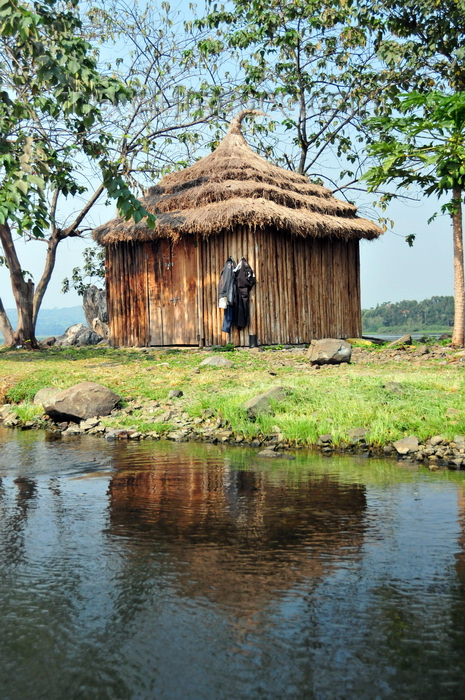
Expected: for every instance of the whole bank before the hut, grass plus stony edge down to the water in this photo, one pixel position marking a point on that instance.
(201, 416)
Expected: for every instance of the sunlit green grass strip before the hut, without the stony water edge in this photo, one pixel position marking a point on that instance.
(391, 394)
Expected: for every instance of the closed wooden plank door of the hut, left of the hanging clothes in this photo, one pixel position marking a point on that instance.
(173, 292)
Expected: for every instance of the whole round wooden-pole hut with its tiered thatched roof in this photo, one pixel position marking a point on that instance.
(301, 242)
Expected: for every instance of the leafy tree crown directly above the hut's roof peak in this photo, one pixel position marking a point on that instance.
(311, 63)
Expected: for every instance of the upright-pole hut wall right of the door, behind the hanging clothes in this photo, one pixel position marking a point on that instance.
(306, 288)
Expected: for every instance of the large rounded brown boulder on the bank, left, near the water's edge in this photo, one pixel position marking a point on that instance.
(82, 401)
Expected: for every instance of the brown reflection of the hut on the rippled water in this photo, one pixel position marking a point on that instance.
(233, 535)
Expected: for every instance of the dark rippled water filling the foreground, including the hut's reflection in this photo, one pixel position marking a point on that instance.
(169, 571)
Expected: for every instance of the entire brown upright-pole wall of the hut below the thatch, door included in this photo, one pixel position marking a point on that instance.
(306, 288)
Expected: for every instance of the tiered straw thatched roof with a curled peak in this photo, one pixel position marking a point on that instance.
(235, 186)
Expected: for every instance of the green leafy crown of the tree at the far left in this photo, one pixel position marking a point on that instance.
(54, 97)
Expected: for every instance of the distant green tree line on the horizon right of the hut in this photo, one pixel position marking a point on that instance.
(435, 314)
